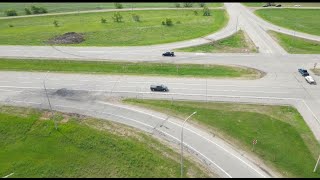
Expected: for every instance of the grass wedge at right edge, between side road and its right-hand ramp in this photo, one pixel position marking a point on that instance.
(296, 45)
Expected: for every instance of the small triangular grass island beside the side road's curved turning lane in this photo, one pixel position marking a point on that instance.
(237, 43)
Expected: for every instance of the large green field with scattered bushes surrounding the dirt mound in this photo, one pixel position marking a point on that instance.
(38, 30)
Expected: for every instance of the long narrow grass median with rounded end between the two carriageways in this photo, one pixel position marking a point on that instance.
(126, 68)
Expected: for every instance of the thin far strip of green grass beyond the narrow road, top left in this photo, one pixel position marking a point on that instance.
(68, 7)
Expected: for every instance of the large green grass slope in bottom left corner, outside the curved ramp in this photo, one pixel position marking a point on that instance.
(30, 147)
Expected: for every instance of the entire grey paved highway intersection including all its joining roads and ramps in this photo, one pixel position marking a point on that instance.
(98, 95)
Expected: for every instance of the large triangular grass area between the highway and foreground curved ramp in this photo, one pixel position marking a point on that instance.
(284, 141)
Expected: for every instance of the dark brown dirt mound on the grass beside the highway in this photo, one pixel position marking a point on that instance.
(67, 38)
